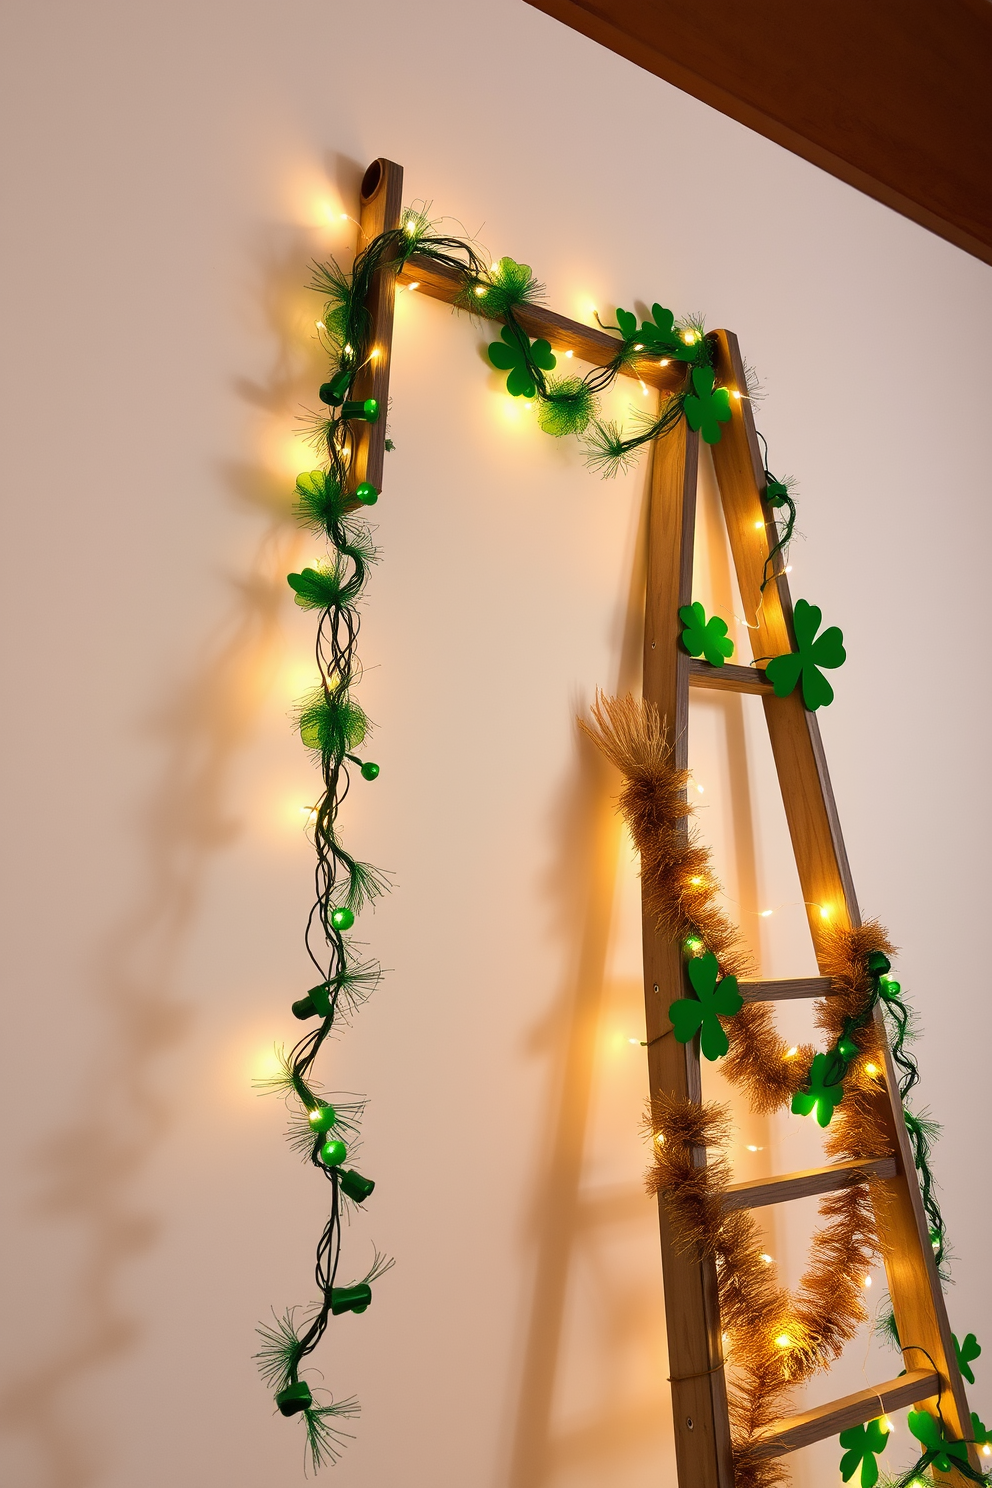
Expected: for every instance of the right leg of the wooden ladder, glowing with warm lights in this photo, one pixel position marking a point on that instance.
(829, 891)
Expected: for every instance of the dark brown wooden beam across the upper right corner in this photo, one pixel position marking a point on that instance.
(892, 97)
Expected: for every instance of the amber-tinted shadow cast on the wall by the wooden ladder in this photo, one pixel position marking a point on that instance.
(564, 1221)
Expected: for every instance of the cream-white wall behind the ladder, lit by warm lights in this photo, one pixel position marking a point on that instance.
(170, 173)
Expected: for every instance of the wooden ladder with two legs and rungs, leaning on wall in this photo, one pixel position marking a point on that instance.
(700, 1395)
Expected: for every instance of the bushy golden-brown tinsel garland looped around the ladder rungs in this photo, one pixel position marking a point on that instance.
(776, 1338)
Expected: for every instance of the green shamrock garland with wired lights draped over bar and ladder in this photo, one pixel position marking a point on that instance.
(332, 504)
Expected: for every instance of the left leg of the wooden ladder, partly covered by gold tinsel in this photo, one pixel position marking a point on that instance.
(695, 1350)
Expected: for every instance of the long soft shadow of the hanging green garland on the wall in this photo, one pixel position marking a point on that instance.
(121, 1112)
